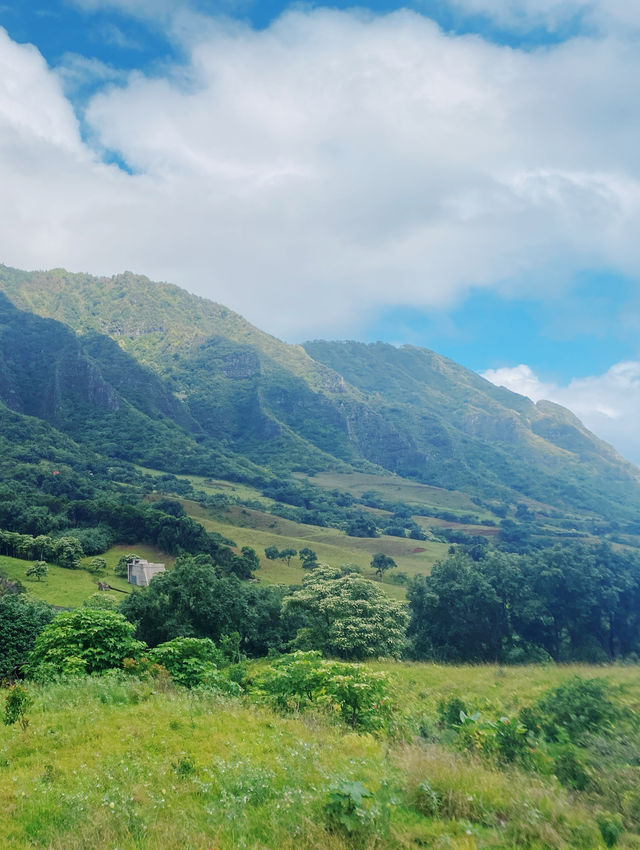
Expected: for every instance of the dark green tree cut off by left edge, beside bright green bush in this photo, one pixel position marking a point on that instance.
(21, 621)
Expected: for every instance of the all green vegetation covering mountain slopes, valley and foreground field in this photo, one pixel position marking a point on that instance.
(249, 701)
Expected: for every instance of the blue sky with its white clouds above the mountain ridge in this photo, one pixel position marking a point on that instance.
(462, 175)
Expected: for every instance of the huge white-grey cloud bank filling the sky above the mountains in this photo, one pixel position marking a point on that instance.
(331, 165)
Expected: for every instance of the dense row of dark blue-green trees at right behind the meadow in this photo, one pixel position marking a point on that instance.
(566, 603)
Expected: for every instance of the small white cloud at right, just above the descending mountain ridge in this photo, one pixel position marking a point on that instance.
(608, 404)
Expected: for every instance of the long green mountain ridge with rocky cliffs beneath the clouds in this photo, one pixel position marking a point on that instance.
(150, 373)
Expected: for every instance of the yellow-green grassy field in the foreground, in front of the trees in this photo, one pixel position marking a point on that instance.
(110, 763)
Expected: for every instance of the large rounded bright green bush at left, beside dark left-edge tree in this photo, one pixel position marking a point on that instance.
(86, 640)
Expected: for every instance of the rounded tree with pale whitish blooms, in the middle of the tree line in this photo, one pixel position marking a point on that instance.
(346, 616)
